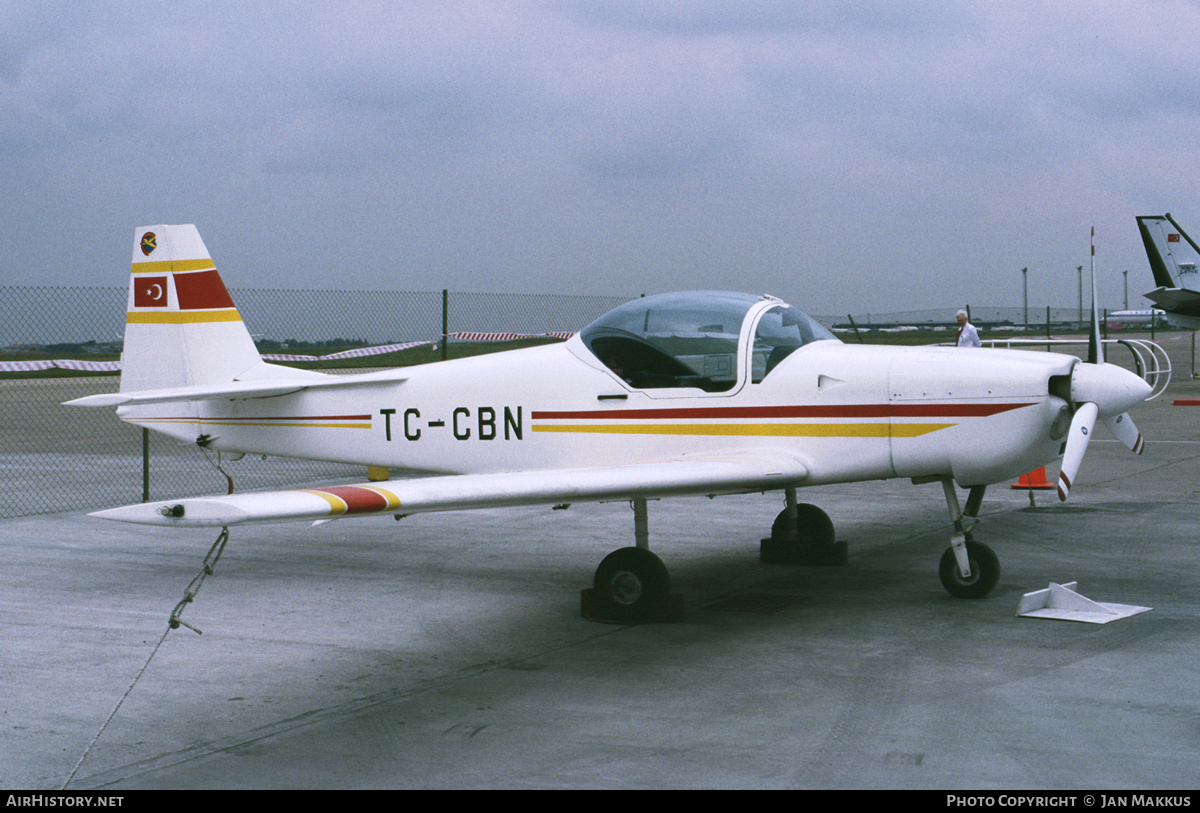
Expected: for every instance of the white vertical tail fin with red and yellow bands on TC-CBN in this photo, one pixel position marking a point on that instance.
(182, 328)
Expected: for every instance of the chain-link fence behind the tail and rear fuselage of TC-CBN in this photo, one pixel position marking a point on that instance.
(62, 459)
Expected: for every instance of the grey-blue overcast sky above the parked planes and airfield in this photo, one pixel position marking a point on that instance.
(850, 158)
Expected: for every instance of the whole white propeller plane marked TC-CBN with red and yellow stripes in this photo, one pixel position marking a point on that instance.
(703, 394)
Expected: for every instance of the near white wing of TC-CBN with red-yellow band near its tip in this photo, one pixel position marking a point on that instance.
(691, 475)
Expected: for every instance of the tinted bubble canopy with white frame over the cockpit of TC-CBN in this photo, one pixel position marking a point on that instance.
(693, 340)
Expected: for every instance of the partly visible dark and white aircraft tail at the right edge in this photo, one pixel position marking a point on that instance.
(1174, 258)
